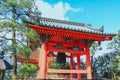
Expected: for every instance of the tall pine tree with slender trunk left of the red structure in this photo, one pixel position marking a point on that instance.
(13, 14)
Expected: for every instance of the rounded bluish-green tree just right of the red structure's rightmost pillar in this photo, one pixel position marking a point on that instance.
(104, 65)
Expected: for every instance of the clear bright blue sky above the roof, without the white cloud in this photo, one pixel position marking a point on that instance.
(95, 12)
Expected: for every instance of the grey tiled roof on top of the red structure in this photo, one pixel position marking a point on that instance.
(60, 24)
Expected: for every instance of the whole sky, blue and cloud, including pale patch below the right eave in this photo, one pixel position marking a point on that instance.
(94, 12)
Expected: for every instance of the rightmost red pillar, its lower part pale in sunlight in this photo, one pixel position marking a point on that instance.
(88, 64)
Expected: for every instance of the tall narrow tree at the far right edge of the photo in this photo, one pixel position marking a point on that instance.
(115, 45)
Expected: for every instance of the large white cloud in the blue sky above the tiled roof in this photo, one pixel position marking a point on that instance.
(56, 11)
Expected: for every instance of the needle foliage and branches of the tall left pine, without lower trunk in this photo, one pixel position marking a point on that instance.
(13, 13)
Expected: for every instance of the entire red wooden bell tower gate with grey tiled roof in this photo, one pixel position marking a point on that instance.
(66, 37)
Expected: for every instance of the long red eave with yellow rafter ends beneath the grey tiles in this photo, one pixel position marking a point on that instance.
(73, 34)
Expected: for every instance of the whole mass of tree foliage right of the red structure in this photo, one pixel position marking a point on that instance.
(108, 65)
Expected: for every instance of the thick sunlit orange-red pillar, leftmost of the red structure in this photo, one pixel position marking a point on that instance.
(42, 63)
